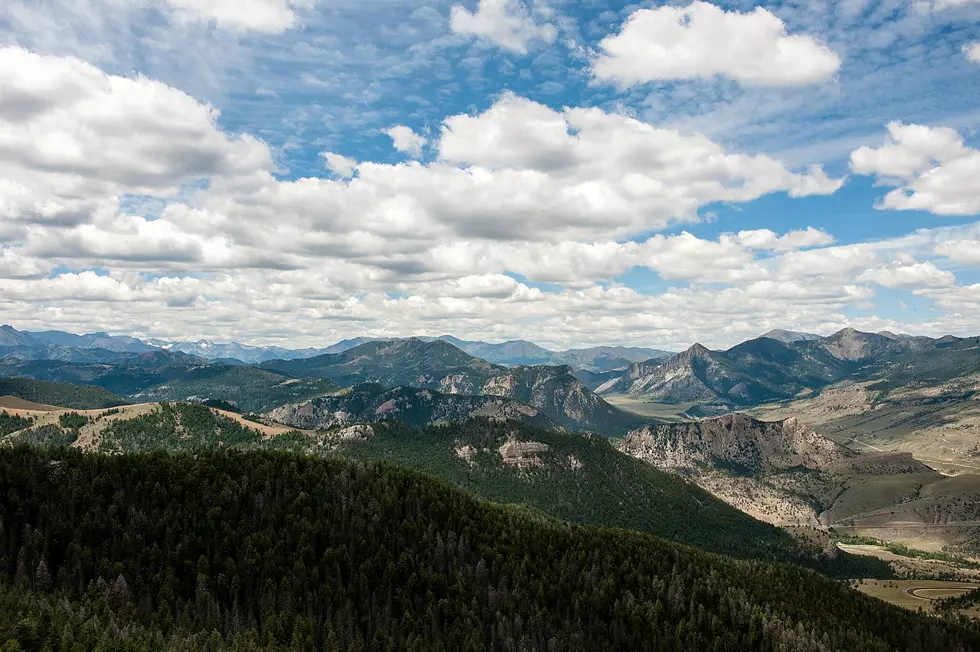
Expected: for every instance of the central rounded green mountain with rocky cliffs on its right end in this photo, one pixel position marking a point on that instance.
(441, 366)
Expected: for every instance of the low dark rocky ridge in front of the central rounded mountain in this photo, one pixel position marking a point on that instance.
(410, 405)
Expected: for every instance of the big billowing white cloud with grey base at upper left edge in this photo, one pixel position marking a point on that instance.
(71, 135)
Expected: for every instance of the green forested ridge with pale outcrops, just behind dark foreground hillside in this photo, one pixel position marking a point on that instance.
(575, 478)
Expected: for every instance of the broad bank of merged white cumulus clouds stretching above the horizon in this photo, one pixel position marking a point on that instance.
(518, 195)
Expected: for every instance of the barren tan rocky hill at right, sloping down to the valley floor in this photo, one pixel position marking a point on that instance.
(785, 473)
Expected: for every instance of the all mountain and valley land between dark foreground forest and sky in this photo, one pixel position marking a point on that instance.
(821, 440)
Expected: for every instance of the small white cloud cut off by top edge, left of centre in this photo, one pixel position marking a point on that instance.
(273, 16)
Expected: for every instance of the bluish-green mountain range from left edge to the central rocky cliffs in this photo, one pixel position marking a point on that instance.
(164, 375)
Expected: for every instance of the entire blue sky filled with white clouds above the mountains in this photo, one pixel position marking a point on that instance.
(297, 172)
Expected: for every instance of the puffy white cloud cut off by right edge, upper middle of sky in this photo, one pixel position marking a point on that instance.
(931, 166)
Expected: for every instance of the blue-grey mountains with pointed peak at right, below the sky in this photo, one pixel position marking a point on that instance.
(767, 369)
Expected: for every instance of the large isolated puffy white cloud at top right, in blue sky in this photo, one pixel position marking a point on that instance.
(703, 40)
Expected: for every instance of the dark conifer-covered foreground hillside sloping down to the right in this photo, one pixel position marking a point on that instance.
(252, 551)
